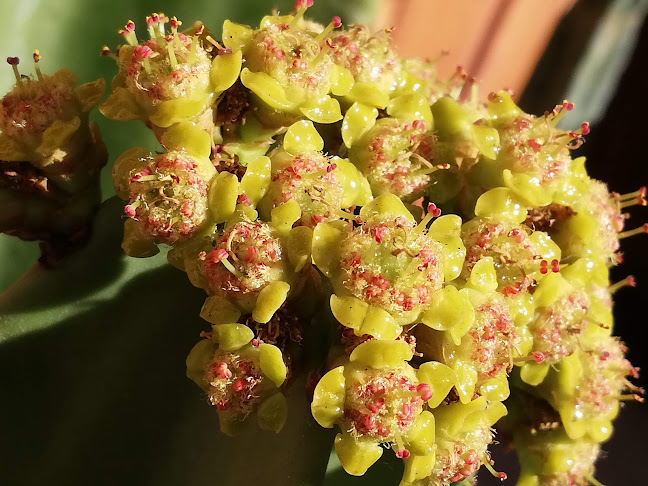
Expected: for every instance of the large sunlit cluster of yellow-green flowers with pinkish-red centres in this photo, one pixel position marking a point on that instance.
(313, 183)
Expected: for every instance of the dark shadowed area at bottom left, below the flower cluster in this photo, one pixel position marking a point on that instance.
(102, 399)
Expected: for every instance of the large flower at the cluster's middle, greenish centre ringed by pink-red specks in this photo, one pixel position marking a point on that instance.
(386, 270)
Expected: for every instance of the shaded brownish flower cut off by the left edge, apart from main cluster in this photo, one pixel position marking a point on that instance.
(50, 158)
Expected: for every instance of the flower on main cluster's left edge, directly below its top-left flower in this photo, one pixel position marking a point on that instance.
(168, 192)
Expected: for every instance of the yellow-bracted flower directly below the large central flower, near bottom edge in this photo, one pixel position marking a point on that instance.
(377, 398)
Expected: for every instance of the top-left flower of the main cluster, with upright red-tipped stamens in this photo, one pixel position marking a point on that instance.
(169, 78)
